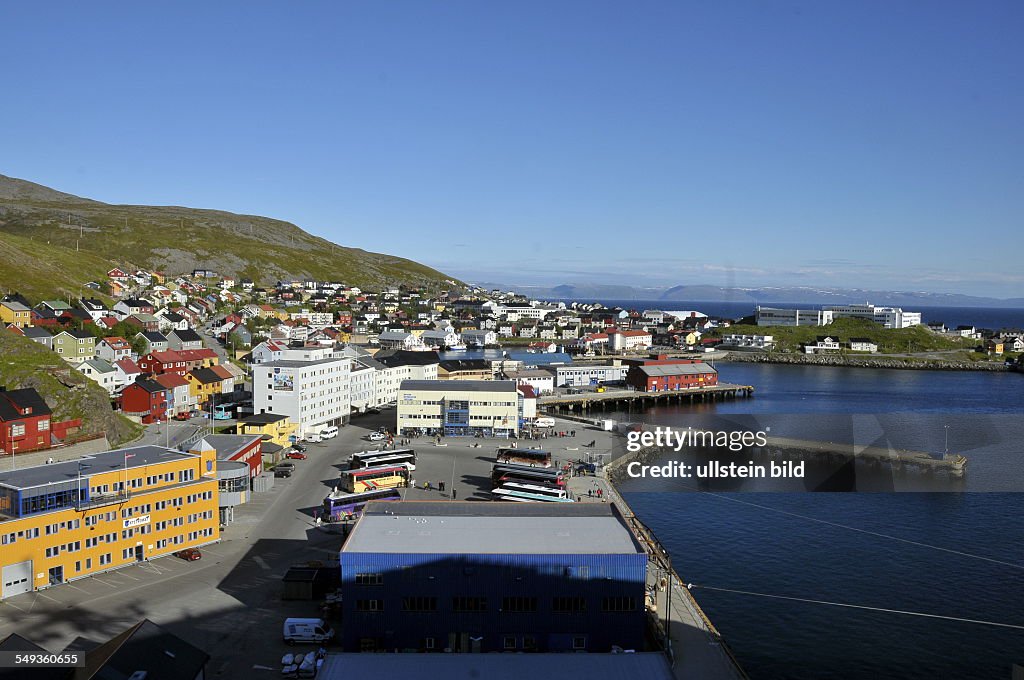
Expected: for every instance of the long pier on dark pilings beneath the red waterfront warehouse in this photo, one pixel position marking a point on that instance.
(618, 400)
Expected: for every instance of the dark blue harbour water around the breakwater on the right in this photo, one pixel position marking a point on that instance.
(956, 555)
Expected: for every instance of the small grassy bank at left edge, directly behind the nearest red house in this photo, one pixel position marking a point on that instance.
(69, 394)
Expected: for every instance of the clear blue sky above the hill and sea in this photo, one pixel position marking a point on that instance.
(872, 145)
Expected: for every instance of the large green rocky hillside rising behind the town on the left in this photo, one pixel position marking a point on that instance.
(54, 243)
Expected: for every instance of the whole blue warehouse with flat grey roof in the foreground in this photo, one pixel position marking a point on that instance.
(492, 577)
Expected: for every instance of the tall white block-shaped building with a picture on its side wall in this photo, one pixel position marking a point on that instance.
(314, 395)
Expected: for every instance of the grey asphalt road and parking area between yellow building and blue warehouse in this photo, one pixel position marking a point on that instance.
(229, 603)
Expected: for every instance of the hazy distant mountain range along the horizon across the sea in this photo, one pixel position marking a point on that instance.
(762, 295)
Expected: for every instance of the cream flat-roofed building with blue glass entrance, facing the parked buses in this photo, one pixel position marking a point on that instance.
(457, 408)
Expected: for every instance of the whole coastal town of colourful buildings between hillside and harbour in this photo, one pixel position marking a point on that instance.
(244, 395)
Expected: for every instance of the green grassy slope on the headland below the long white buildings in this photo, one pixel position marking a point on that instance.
(916, 339)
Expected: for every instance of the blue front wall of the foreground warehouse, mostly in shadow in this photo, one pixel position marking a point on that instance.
(493, 603)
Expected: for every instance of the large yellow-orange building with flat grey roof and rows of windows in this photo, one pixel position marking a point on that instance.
(127, 506)
